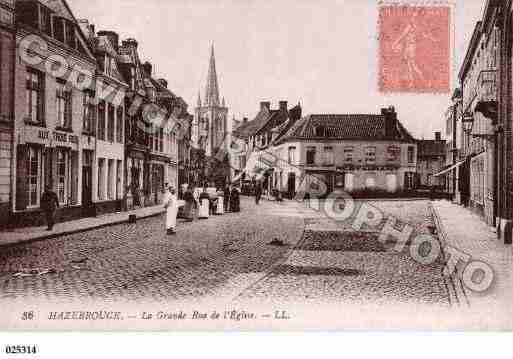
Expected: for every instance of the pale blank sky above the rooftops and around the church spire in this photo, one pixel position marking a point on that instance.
(321, 53)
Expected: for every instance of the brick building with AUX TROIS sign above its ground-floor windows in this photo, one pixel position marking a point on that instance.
(53, 81)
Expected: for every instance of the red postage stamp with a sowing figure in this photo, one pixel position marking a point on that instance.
(414, 49)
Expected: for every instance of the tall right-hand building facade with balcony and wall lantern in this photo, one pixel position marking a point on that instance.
(478, 77)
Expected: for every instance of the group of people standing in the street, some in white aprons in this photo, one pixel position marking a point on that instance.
(193, 202)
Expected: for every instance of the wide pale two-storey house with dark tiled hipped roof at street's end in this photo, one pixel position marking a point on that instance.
(348, 152)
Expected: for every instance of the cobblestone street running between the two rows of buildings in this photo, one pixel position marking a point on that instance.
(226, 258)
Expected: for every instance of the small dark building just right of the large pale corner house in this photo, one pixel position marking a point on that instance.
(431, 159)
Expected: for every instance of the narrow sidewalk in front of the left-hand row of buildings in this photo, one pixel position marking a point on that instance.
(29, 234)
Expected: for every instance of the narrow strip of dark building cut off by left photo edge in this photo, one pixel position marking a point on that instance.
(7, 51)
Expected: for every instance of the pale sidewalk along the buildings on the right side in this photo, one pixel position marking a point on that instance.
(466, 231)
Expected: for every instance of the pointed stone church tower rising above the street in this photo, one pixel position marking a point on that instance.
(210, 116)
